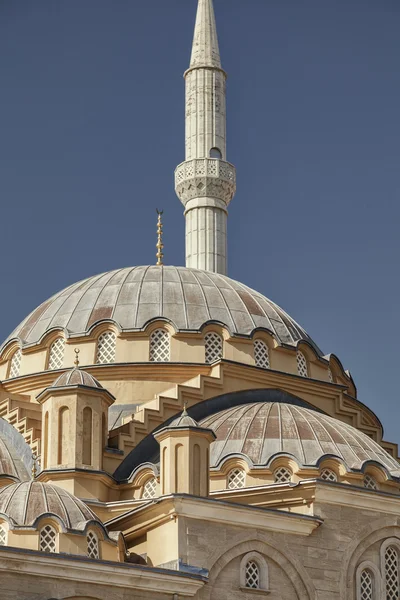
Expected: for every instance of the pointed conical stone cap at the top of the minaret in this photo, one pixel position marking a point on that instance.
(205, 51)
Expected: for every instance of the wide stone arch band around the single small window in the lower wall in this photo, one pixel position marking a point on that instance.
(294, 570)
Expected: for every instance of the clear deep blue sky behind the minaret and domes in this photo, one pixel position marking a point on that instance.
(92, 127)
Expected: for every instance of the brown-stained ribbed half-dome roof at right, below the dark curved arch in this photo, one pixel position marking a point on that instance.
(261, 431)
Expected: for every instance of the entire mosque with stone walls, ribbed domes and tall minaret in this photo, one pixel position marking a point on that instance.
(168, 433)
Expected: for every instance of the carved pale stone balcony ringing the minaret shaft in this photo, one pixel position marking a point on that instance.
(205, 178)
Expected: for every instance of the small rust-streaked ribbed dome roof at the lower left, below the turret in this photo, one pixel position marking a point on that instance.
(25, 502)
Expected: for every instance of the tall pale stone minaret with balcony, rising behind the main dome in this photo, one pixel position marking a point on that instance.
(205, 183)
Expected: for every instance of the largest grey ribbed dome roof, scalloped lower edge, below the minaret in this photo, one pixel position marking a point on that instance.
(133, 296)
